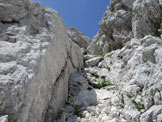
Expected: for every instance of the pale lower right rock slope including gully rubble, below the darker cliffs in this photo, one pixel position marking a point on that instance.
(124, 87)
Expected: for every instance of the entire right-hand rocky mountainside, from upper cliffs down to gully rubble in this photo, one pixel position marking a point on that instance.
(125, 74)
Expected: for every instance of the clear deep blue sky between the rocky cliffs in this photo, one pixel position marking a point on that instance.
(82, 14)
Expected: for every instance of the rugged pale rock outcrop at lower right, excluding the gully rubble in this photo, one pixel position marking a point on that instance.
(135, 69)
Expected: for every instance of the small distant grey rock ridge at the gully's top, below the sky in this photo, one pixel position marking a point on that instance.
(79, 38)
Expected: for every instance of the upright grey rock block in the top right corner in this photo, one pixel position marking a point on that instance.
(147, 18)
